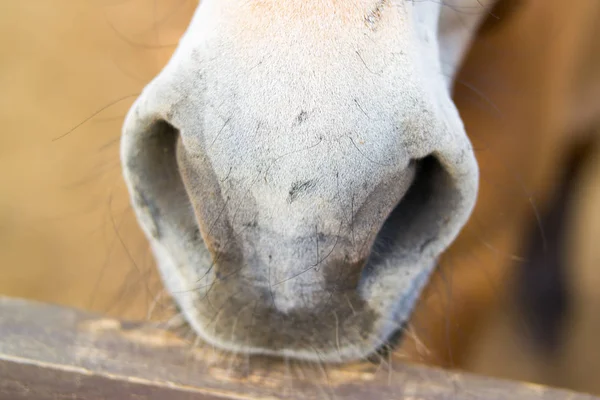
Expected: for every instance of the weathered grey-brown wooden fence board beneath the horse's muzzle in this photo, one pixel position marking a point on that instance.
(49, 352)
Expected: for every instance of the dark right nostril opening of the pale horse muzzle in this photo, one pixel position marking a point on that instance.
(415, 223)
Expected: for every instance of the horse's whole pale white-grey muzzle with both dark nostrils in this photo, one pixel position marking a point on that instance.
(281, 181)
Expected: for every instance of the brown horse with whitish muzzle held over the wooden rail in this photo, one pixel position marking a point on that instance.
(308, 173)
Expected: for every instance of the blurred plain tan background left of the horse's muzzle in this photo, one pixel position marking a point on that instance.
(67, 232)
